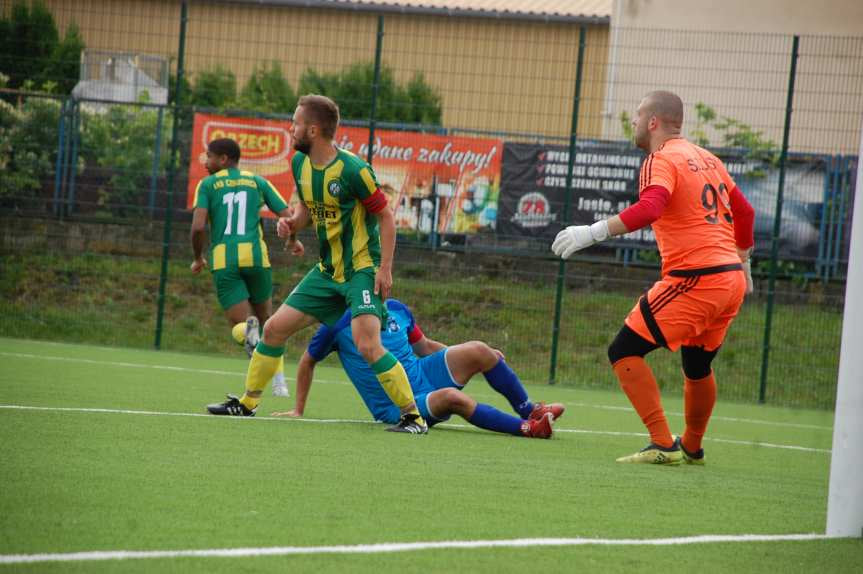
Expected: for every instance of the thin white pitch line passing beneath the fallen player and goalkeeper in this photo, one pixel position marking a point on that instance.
(355, 421)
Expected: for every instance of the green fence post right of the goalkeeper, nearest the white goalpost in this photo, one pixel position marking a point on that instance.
(777, 222)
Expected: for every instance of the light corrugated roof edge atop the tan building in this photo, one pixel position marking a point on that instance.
(580, 11)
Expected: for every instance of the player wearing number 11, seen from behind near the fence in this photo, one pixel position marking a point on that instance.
(231, 200)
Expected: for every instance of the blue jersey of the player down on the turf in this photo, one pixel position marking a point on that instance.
(397, 336)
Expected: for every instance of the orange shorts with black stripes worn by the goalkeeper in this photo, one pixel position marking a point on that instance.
(692, 308)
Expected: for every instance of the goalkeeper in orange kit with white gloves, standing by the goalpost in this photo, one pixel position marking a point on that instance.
(704, 232)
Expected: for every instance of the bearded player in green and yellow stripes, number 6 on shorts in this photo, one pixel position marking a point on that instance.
(340, 199)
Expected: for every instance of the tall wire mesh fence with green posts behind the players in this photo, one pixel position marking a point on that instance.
(96, 183)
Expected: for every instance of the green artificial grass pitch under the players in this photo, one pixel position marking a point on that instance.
(125, 467)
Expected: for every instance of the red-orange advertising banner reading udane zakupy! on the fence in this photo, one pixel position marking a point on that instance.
(447, 183)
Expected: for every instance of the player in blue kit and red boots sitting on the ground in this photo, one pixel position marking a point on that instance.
(437, 375)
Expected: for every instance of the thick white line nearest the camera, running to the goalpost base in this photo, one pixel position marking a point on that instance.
(391, 547)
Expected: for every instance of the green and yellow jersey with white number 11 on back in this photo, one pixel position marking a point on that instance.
(233, 200)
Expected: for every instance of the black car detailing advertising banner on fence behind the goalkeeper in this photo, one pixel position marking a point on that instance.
(605, 182)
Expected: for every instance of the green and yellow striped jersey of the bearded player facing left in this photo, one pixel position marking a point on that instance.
(347, 234)
